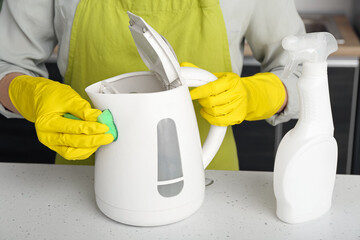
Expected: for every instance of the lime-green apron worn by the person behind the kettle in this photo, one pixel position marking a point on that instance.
(101, 46)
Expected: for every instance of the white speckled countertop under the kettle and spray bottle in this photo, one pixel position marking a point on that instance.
(39, 201)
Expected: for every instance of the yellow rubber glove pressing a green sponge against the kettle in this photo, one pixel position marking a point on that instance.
(44, 102)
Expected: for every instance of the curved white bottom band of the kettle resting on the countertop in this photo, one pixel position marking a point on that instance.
(149, 218)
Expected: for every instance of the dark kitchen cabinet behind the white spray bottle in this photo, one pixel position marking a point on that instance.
(257, 141)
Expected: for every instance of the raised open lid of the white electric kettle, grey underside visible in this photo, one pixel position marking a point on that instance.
(155, 51)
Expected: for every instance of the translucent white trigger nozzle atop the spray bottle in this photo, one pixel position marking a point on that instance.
(310, 47)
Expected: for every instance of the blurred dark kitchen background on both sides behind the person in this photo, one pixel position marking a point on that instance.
(256, 141)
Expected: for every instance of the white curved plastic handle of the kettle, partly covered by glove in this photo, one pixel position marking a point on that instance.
(196, 77)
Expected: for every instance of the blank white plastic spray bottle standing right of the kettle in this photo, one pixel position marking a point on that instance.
(306, 160)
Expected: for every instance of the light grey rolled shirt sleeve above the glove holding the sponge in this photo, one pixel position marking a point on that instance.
(27, 38)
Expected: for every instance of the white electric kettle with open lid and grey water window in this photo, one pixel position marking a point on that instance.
(154, 173)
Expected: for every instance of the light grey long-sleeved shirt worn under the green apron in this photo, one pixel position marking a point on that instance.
(29, 31)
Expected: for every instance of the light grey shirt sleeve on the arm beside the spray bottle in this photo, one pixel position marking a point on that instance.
(271, 21)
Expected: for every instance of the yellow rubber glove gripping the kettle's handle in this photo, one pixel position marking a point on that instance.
(232, 99)
